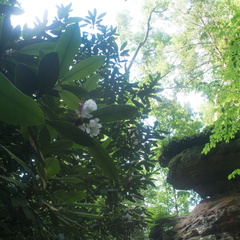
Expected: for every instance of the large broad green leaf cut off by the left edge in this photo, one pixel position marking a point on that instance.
(17, 108)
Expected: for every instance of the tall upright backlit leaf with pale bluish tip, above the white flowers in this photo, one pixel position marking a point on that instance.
(67, 47)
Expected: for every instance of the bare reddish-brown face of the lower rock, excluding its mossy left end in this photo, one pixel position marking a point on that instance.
(213, 217)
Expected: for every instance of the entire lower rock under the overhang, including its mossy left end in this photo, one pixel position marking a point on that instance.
(217, 218)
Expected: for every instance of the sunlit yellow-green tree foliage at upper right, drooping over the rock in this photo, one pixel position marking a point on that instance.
(202, 56)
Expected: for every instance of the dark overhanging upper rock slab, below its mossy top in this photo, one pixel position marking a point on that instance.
(206, 174)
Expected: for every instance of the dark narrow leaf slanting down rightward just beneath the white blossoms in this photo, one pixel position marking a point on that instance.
(73, 133)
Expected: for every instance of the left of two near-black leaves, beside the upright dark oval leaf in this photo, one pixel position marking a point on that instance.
(25, 79)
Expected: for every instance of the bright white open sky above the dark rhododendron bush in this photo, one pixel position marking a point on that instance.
(80, 8)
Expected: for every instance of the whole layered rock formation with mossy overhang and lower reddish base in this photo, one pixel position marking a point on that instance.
(218, 214)
